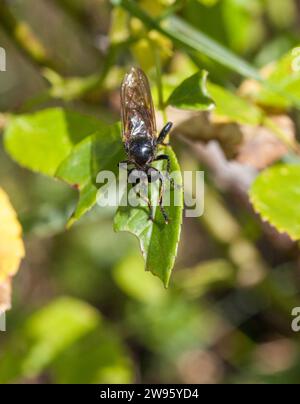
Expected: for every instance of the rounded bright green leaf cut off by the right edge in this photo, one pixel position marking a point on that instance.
(275, 194)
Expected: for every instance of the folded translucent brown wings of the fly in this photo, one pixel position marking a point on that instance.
(138, 116)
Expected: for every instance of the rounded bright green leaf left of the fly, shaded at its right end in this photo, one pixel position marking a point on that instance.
(41, 141)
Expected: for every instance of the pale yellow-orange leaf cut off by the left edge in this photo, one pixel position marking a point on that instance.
(11, 249)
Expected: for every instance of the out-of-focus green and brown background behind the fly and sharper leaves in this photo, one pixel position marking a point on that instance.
(84, 310)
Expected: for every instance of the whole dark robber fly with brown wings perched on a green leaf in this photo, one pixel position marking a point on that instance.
(139, 131)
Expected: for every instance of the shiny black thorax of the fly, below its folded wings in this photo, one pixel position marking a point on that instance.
(142, 149)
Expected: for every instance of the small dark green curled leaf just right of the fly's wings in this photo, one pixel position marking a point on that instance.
(192, 94)
